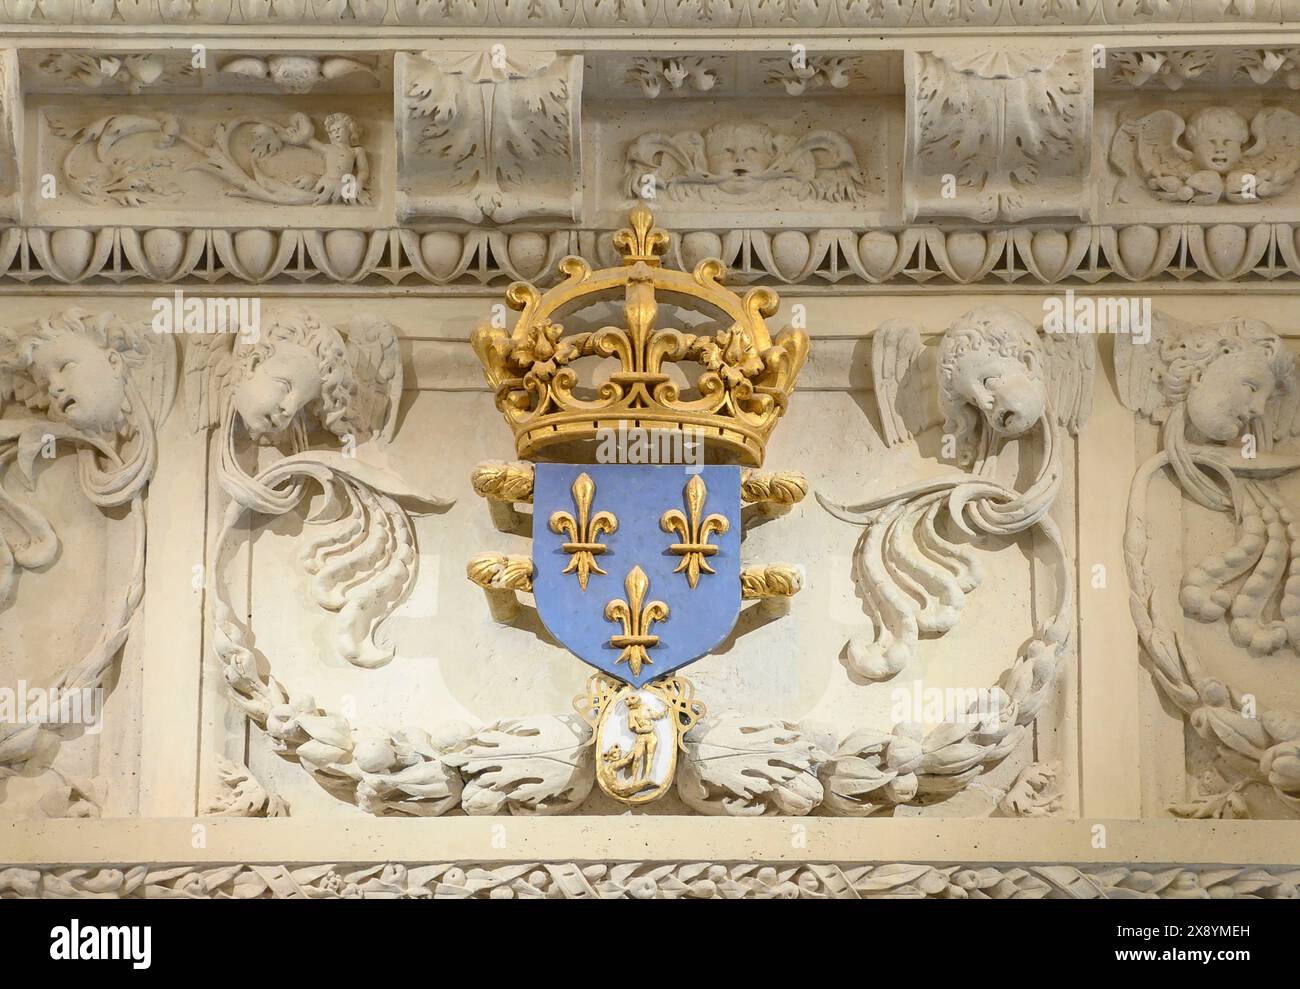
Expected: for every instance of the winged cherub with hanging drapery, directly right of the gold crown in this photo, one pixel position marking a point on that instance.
(993, 380)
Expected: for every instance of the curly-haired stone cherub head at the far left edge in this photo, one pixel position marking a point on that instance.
(77, 367)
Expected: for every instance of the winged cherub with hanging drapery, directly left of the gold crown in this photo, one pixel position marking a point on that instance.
(296, 378)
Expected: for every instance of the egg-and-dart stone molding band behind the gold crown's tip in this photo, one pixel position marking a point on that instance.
(1177, 255)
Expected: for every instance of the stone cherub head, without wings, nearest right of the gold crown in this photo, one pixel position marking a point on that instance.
(990, 362)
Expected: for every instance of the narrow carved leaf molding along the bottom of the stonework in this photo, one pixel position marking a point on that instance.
(648, 880)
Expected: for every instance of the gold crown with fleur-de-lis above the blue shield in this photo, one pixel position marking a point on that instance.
(740, 392)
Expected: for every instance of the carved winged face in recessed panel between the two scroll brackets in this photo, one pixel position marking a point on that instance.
(730, 163)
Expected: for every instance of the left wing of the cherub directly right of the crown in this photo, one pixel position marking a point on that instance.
(903, 374)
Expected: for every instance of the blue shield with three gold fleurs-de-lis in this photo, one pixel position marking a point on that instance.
(636, 569)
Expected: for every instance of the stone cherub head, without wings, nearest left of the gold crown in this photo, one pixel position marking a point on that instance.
(298, 366)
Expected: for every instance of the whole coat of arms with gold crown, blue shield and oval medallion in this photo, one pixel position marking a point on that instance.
(635, 562)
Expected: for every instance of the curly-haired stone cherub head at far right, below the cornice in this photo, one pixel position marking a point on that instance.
(1227, 378)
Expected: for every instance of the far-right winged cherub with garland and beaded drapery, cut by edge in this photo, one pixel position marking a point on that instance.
(1225, 396)
